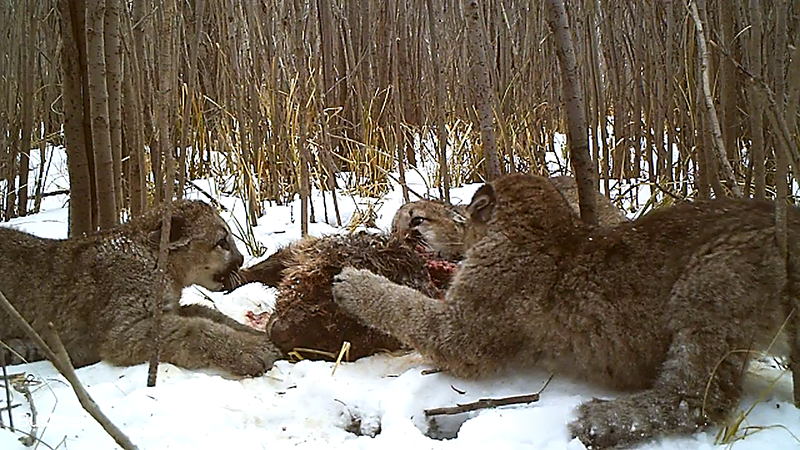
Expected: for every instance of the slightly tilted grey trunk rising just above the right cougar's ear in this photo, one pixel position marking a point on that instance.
(482, 90)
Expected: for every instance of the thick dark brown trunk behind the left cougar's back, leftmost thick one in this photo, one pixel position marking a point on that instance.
(80, 204)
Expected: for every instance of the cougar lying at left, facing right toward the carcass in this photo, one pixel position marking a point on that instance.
(100, 292)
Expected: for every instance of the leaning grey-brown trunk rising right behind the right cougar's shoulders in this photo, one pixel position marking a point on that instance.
(576, 118)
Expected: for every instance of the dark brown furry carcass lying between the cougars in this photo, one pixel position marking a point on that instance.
(305, 315)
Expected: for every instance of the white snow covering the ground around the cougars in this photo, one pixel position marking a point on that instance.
(373, 403)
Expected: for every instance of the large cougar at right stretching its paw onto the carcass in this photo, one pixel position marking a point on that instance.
(664, 307)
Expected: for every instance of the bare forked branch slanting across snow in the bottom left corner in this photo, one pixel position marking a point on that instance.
(58, 356)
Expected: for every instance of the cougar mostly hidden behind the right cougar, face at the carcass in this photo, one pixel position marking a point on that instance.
(439, 228)
